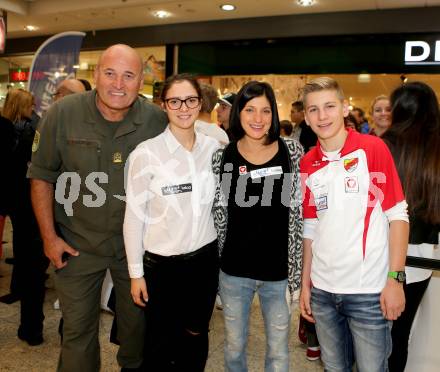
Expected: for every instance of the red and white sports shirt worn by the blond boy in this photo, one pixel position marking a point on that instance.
(350, 197)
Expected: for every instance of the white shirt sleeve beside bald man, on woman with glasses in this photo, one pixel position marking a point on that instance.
(137, 195)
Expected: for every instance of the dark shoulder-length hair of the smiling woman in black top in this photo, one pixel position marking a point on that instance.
(251, 90)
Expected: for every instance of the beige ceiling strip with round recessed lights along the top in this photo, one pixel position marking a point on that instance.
(53, 16)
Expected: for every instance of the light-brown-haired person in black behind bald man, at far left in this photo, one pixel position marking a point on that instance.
(28, 275)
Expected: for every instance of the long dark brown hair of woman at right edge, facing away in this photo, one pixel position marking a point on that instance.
(414, 139)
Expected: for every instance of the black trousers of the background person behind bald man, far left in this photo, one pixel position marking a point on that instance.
(29, 268)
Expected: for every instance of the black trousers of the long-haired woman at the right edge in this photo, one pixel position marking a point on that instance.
(402, 326)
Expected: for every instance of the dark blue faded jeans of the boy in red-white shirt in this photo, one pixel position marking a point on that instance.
(350, 328)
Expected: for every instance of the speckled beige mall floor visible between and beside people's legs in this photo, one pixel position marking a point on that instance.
(17, 356)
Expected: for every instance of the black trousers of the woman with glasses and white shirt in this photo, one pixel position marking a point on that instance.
(181, 297)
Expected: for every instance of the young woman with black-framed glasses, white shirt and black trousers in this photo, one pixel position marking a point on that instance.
(169, 233)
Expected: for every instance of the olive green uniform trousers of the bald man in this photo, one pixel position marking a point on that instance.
(79, 286)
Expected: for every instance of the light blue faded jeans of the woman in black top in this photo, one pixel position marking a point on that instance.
(237, 294)
